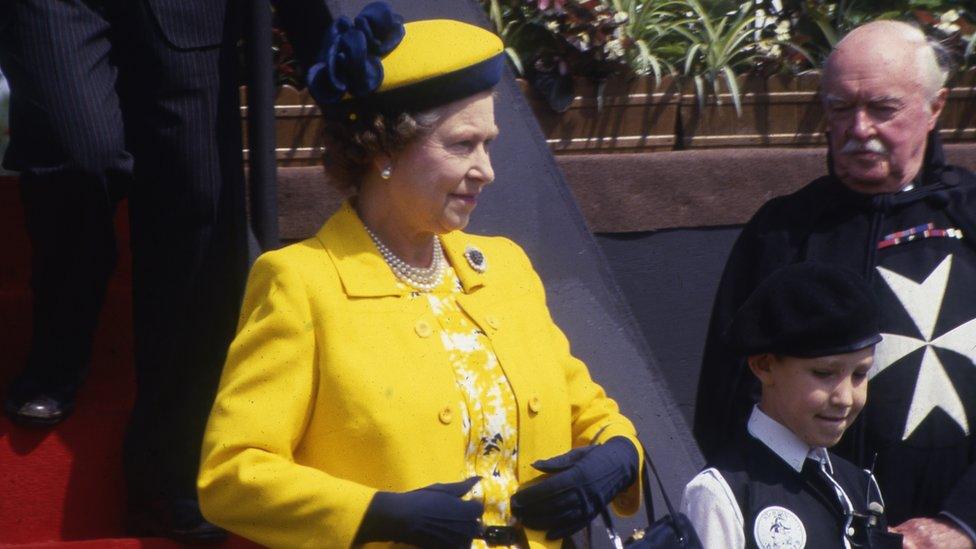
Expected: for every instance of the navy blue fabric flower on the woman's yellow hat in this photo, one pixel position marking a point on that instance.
(350, 58)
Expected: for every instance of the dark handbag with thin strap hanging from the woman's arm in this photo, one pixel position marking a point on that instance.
(672, 531)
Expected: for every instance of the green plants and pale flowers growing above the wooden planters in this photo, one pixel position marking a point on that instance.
(705, 42)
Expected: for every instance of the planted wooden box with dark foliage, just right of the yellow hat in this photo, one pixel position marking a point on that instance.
(592, 70)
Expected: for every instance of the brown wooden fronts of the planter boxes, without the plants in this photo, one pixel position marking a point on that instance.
(638, 116)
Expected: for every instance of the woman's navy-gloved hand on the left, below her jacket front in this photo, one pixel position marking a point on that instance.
(434, 516)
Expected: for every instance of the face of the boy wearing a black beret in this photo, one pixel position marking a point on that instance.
(816, 398)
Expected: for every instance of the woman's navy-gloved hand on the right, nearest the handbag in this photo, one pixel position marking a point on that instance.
(582, 482)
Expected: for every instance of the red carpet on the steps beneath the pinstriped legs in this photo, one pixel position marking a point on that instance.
(63, 487)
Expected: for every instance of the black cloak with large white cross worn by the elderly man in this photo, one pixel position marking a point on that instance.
(921, 411)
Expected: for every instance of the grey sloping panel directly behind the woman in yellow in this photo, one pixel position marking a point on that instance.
(530, 203)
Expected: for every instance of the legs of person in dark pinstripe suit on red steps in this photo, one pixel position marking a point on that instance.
(137, 99)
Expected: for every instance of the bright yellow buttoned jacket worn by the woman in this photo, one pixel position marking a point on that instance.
(334, 388)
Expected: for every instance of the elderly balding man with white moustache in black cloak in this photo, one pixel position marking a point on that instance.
(892, 210)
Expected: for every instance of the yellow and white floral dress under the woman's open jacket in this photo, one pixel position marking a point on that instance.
(489, 416)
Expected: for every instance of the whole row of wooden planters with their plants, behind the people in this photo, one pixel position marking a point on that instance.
(646, 75)
